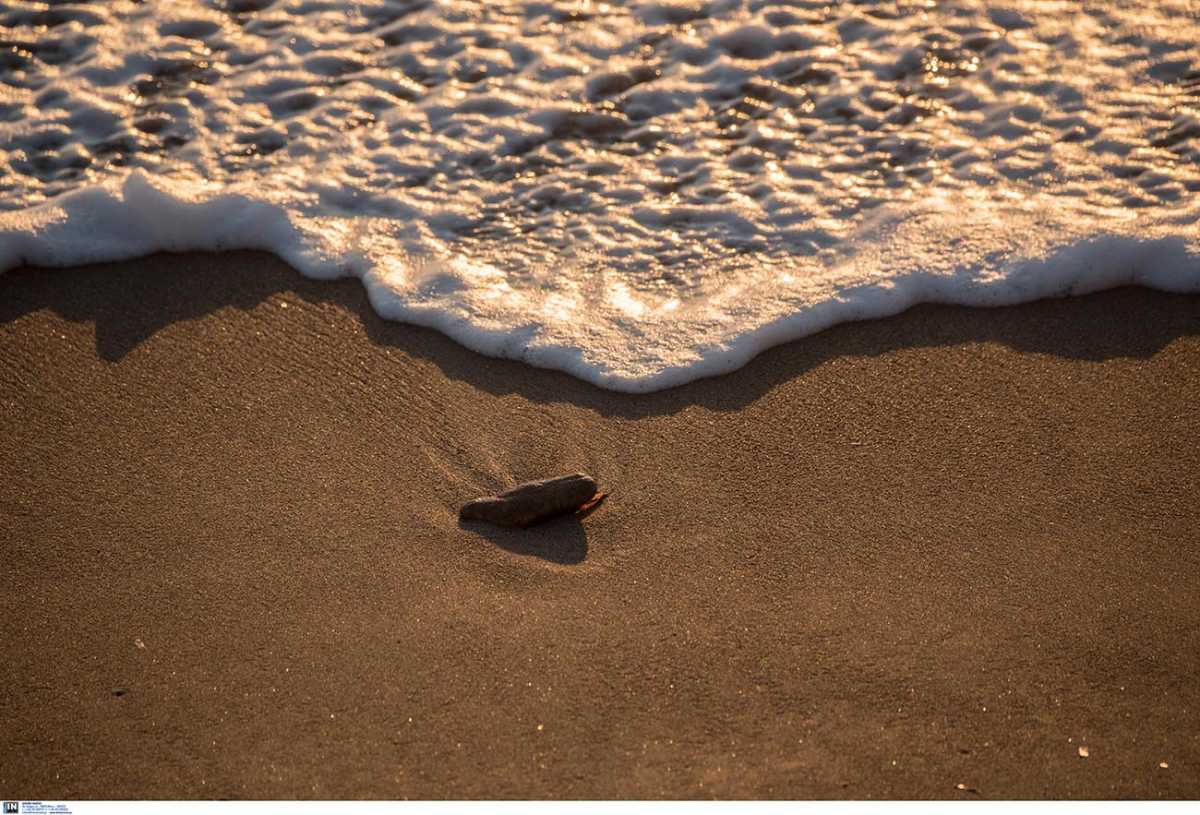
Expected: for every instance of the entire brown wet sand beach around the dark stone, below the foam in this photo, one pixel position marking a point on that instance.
(944, 549)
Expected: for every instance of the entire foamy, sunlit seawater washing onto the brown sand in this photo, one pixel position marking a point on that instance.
(637, 194)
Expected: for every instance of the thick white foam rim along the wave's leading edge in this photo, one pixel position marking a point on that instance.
(136, 219)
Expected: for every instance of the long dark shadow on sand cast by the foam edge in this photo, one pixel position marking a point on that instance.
(131, 301)
